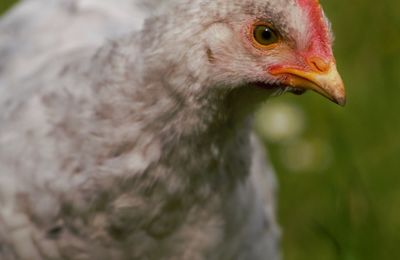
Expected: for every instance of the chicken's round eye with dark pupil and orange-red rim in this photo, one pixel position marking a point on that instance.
(264, 35)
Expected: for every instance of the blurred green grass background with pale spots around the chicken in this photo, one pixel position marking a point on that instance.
(339, 168)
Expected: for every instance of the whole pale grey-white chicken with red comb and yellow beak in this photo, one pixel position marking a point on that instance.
(125, 126)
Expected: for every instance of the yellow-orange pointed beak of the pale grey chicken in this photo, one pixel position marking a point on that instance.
(326, 82)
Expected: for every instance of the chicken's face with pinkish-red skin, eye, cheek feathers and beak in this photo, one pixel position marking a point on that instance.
(282, 45)
